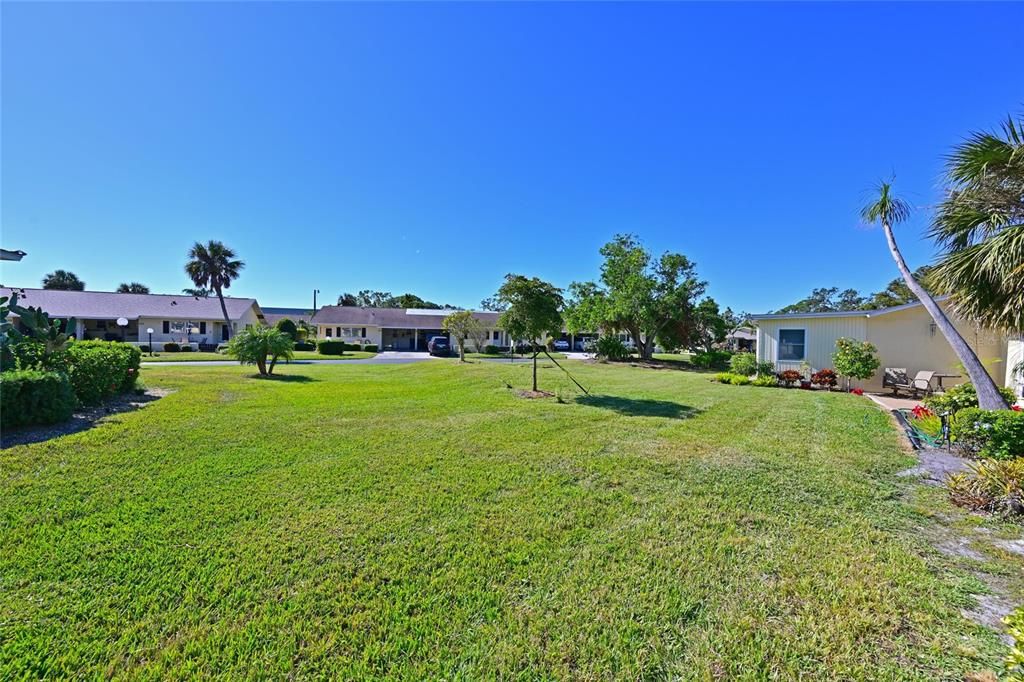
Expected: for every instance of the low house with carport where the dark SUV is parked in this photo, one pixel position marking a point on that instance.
(396, 329)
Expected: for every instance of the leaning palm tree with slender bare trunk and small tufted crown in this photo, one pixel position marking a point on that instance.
(890, 210)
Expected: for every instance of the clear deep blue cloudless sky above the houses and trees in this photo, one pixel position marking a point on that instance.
(435, 148)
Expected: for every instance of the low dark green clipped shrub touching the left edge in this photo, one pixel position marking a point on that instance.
(35, 397)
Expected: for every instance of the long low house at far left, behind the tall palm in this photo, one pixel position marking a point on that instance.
(179, 318)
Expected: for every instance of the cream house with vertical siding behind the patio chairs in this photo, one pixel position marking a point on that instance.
(906, 337)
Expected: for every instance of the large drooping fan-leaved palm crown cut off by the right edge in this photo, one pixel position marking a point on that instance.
(980, 226)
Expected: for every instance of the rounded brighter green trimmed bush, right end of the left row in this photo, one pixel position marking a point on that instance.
(101, 369)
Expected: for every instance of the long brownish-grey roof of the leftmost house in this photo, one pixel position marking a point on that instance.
(109, 306)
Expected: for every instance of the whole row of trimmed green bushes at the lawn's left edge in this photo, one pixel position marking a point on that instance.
(36, 393)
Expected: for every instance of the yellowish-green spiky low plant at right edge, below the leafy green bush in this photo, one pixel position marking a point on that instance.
(996, 486)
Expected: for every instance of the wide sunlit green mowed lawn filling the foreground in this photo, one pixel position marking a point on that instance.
(421, 522)
